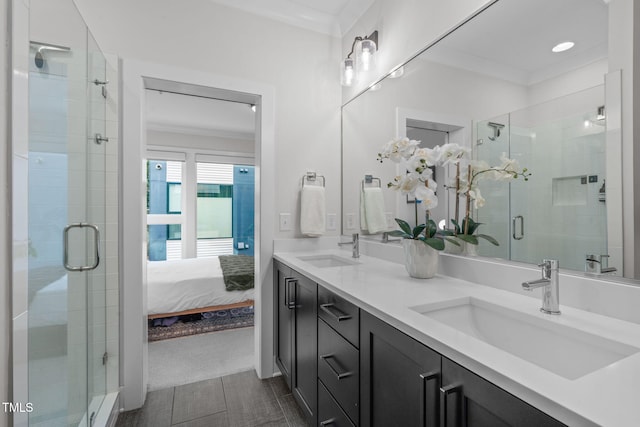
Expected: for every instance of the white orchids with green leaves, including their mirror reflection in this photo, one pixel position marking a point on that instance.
(418, 182)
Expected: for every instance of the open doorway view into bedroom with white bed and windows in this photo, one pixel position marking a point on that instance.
(200, 212)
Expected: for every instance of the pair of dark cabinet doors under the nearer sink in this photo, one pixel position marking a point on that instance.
(405, 383)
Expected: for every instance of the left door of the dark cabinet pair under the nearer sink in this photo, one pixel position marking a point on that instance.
(399, 377)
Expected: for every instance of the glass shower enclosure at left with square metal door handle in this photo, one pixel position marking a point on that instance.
(66, 218)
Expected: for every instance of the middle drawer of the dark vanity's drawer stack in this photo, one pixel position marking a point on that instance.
(338, 369)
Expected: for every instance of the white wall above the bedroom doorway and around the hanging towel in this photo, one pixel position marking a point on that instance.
(300, 64)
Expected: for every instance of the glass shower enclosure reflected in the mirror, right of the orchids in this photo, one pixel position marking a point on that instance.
(562, 207)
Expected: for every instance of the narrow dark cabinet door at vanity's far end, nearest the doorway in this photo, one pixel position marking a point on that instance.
(283, 312)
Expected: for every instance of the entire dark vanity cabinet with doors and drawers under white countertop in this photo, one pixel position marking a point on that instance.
(347, 368)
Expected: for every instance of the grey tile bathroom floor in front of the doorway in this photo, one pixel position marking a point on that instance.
(241, 400)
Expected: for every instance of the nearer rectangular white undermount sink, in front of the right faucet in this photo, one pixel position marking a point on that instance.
(563, 350)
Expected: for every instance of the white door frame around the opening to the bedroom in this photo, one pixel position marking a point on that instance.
(132, 250)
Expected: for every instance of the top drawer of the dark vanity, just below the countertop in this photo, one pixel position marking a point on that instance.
(340, 314)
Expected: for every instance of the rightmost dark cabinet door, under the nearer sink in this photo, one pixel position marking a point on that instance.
(471, 401)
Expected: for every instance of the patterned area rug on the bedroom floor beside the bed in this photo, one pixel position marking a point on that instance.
(200, 323)
